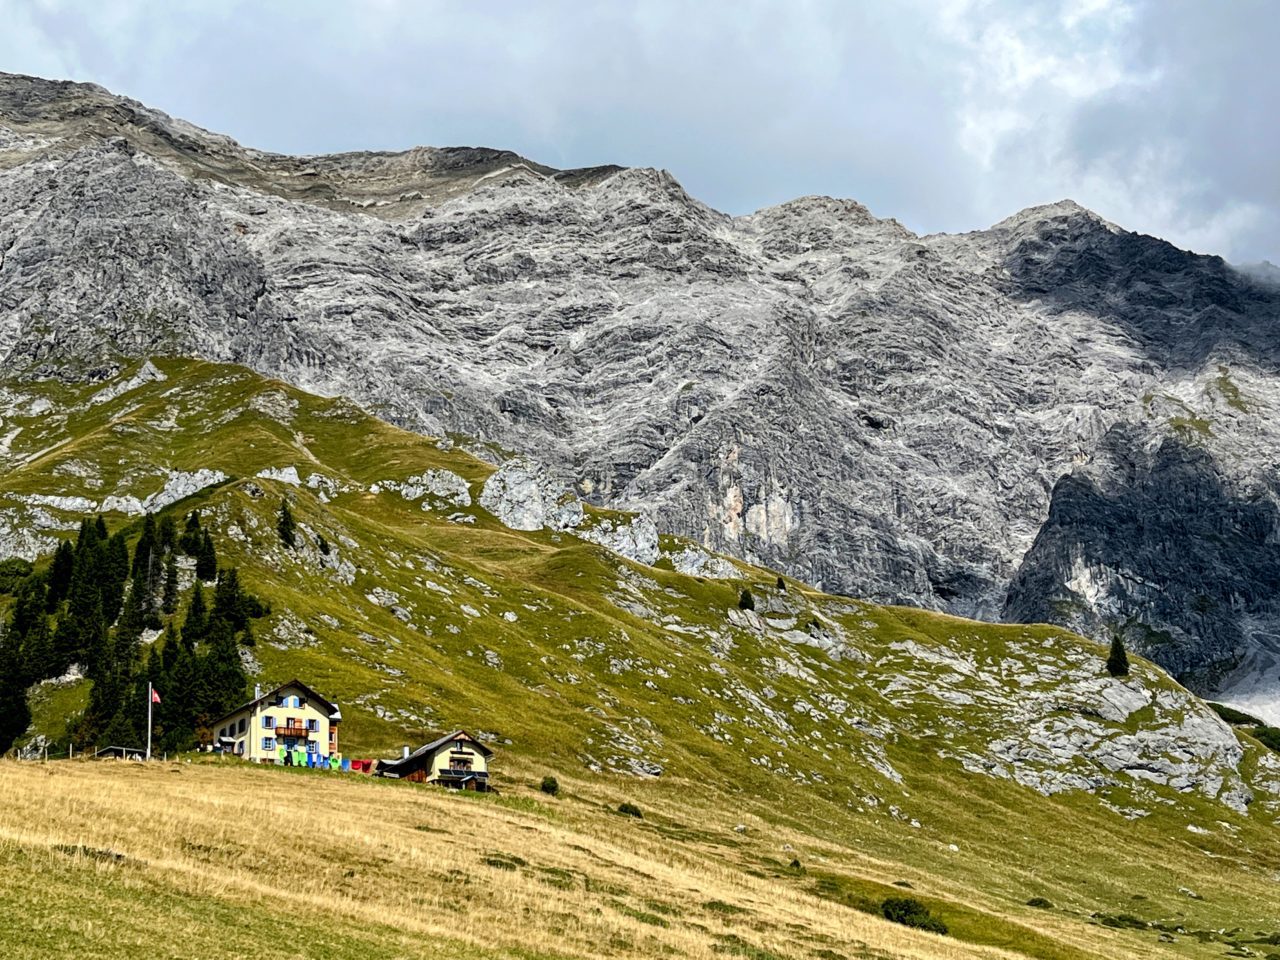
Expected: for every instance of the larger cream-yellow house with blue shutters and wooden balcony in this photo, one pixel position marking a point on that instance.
(292, 721)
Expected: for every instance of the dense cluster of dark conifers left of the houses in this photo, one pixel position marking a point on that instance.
(90, 606)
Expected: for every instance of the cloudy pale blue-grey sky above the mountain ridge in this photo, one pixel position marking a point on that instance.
(948, 115)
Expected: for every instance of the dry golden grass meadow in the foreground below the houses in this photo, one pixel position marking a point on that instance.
(117, 860)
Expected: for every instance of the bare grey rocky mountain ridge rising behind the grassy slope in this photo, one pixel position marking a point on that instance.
(958, 423)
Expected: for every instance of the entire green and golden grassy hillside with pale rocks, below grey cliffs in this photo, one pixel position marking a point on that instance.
(874, 746)
